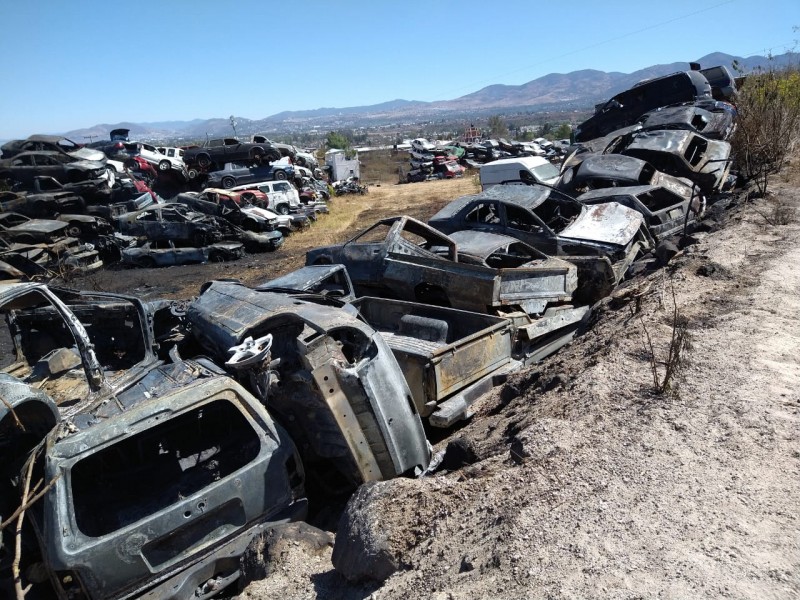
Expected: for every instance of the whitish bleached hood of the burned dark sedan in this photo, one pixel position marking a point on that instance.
(609, 223)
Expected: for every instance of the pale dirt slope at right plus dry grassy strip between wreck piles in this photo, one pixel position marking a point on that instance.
(587, 484)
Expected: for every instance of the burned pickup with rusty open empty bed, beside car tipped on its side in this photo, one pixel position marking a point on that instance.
(450, 358)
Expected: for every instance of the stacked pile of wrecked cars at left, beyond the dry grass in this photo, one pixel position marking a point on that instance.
(71, 208)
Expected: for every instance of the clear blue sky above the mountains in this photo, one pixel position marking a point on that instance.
(68, 64)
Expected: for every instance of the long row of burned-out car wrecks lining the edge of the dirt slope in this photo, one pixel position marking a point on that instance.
(165, 436)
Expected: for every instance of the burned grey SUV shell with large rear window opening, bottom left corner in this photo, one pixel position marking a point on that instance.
(160, 474)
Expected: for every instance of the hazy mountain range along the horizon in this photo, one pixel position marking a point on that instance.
(575, 90)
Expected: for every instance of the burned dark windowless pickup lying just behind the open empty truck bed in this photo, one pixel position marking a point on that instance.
(405, 259)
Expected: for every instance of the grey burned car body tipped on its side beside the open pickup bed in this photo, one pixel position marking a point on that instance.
(226, 313)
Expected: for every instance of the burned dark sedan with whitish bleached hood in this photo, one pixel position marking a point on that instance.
(602, 241)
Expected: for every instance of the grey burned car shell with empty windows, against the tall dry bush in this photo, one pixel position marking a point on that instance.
(684, 153)
